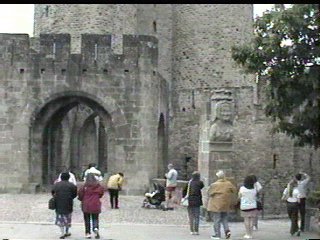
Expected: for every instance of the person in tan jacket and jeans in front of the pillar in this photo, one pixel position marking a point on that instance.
(221, 196)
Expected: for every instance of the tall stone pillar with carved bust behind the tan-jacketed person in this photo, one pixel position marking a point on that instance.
(215, 142)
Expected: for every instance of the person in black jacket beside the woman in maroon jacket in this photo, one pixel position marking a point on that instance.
(64, 192)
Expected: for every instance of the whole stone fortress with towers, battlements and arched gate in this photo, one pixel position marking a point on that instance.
(142, 76)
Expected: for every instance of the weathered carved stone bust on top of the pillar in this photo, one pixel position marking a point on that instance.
(221, 128)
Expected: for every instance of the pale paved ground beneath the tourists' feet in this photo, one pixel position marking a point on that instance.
(25, 216)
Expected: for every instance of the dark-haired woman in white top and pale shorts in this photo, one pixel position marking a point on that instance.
(248, 204)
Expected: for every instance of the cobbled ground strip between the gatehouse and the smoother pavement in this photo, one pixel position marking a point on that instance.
(33, 208)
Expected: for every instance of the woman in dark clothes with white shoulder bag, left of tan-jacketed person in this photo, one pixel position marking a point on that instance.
(193, 191)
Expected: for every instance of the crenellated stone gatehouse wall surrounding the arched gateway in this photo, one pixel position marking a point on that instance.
(37, 88)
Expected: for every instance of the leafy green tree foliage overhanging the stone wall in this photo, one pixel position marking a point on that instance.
(285, 52)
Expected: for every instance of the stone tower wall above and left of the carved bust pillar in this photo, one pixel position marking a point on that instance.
(202, 37)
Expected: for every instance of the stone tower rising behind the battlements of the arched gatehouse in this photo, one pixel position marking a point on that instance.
(116, 19)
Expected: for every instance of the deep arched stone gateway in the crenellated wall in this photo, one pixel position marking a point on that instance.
(71, 130)
